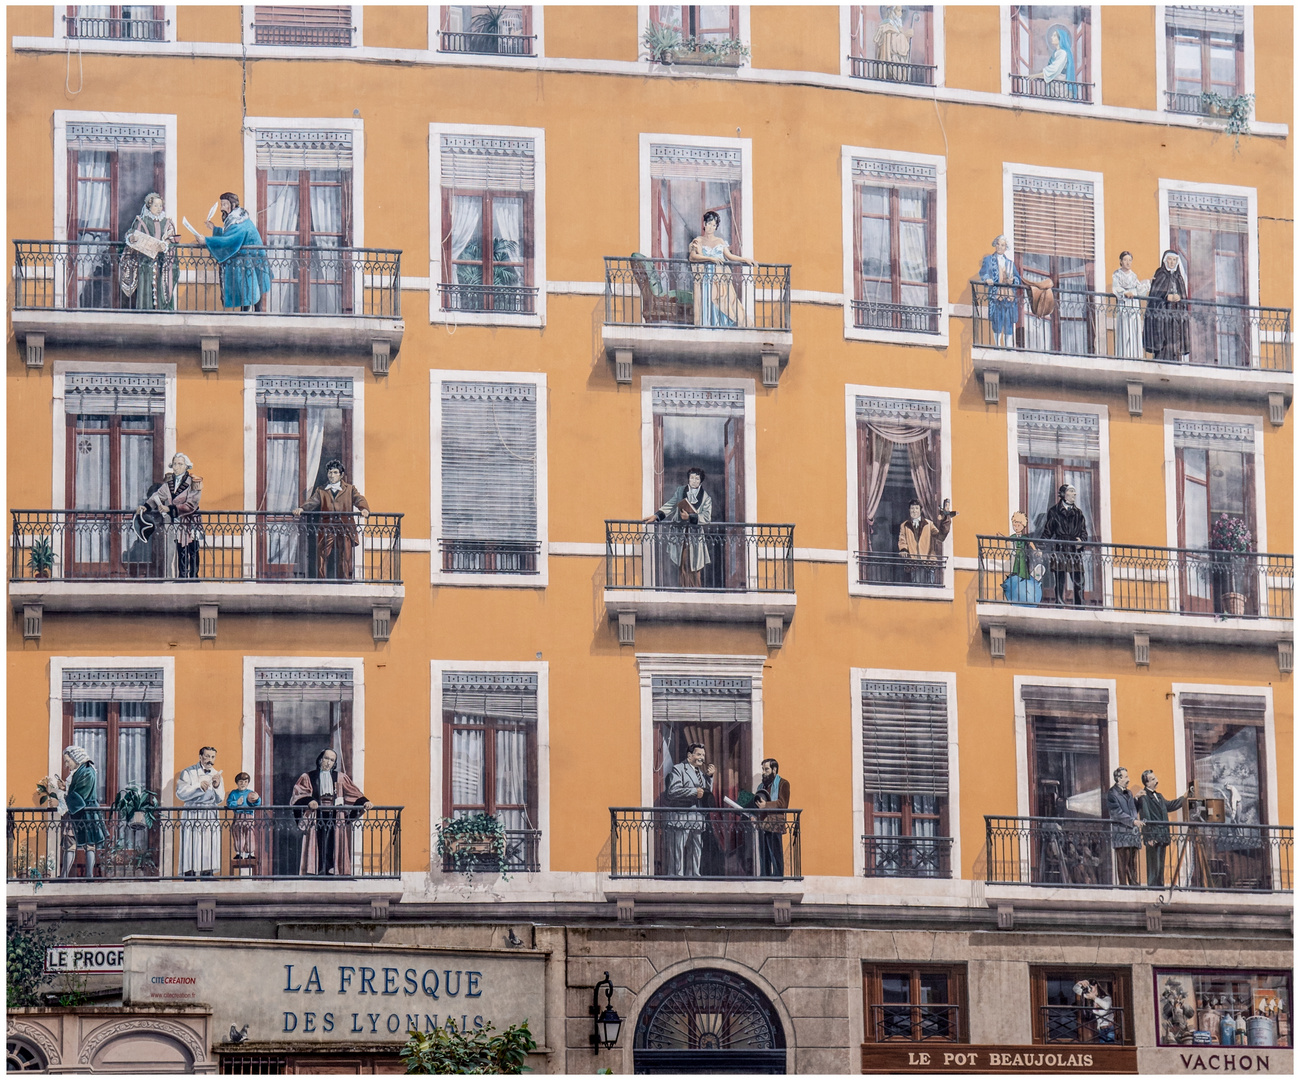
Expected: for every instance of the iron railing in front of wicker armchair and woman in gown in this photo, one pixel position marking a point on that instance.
(703, 296)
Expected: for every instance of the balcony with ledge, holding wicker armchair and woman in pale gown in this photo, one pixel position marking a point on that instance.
(678, 311)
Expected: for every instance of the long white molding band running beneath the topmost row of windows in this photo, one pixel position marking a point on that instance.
(642, 70)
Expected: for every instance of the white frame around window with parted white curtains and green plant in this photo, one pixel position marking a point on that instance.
(487, 319)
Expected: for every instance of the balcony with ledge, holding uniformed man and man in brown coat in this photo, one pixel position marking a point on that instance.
(241, 562)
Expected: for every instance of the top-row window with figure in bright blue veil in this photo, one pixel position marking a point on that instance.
(1052, 53)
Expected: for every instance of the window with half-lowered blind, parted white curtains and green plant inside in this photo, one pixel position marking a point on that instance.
(488, 246)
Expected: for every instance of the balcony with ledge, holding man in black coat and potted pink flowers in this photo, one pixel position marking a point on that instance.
(1173, 593)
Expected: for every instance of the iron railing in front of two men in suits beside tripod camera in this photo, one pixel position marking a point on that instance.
(1080, 853)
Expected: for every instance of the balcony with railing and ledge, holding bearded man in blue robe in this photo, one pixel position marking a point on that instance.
(327, 300)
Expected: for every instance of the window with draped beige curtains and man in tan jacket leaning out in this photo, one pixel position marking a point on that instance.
(900, 461)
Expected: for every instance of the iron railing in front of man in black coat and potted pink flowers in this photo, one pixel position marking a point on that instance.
(1139, 578)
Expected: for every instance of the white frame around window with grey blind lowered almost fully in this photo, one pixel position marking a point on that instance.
(437, 575)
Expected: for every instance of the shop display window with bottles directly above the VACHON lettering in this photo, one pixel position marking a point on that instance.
(1221, 1003)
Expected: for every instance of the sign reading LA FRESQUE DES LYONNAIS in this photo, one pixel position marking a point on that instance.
(327, 992)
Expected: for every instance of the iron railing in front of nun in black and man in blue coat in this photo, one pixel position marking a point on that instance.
(1102, 324)
